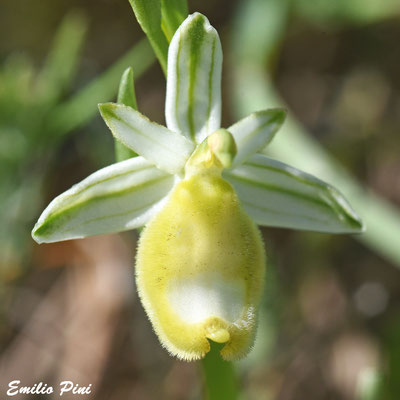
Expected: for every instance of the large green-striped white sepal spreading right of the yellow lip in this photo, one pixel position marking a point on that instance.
(275, 194)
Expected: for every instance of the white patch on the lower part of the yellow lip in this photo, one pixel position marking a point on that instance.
(197, 298)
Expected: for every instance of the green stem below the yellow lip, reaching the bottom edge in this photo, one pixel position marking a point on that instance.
(220, 379)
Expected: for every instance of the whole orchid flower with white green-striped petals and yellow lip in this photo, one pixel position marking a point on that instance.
(199, 190)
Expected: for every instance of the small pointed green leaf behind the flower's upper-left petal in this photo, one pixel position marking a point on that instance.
(126, 96)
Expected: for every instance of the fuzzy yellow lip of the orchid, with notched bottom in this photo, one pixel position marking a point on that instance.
(201, 233)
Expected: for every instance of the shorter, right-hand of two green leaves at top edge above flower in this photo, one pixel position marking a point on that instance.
(173, 13)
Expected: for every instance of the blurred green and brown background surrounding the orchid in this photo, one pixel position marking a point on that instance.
(330, 319)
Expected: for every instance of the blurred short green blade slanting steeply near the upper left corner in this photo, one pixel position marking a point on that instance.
(61, 64)
